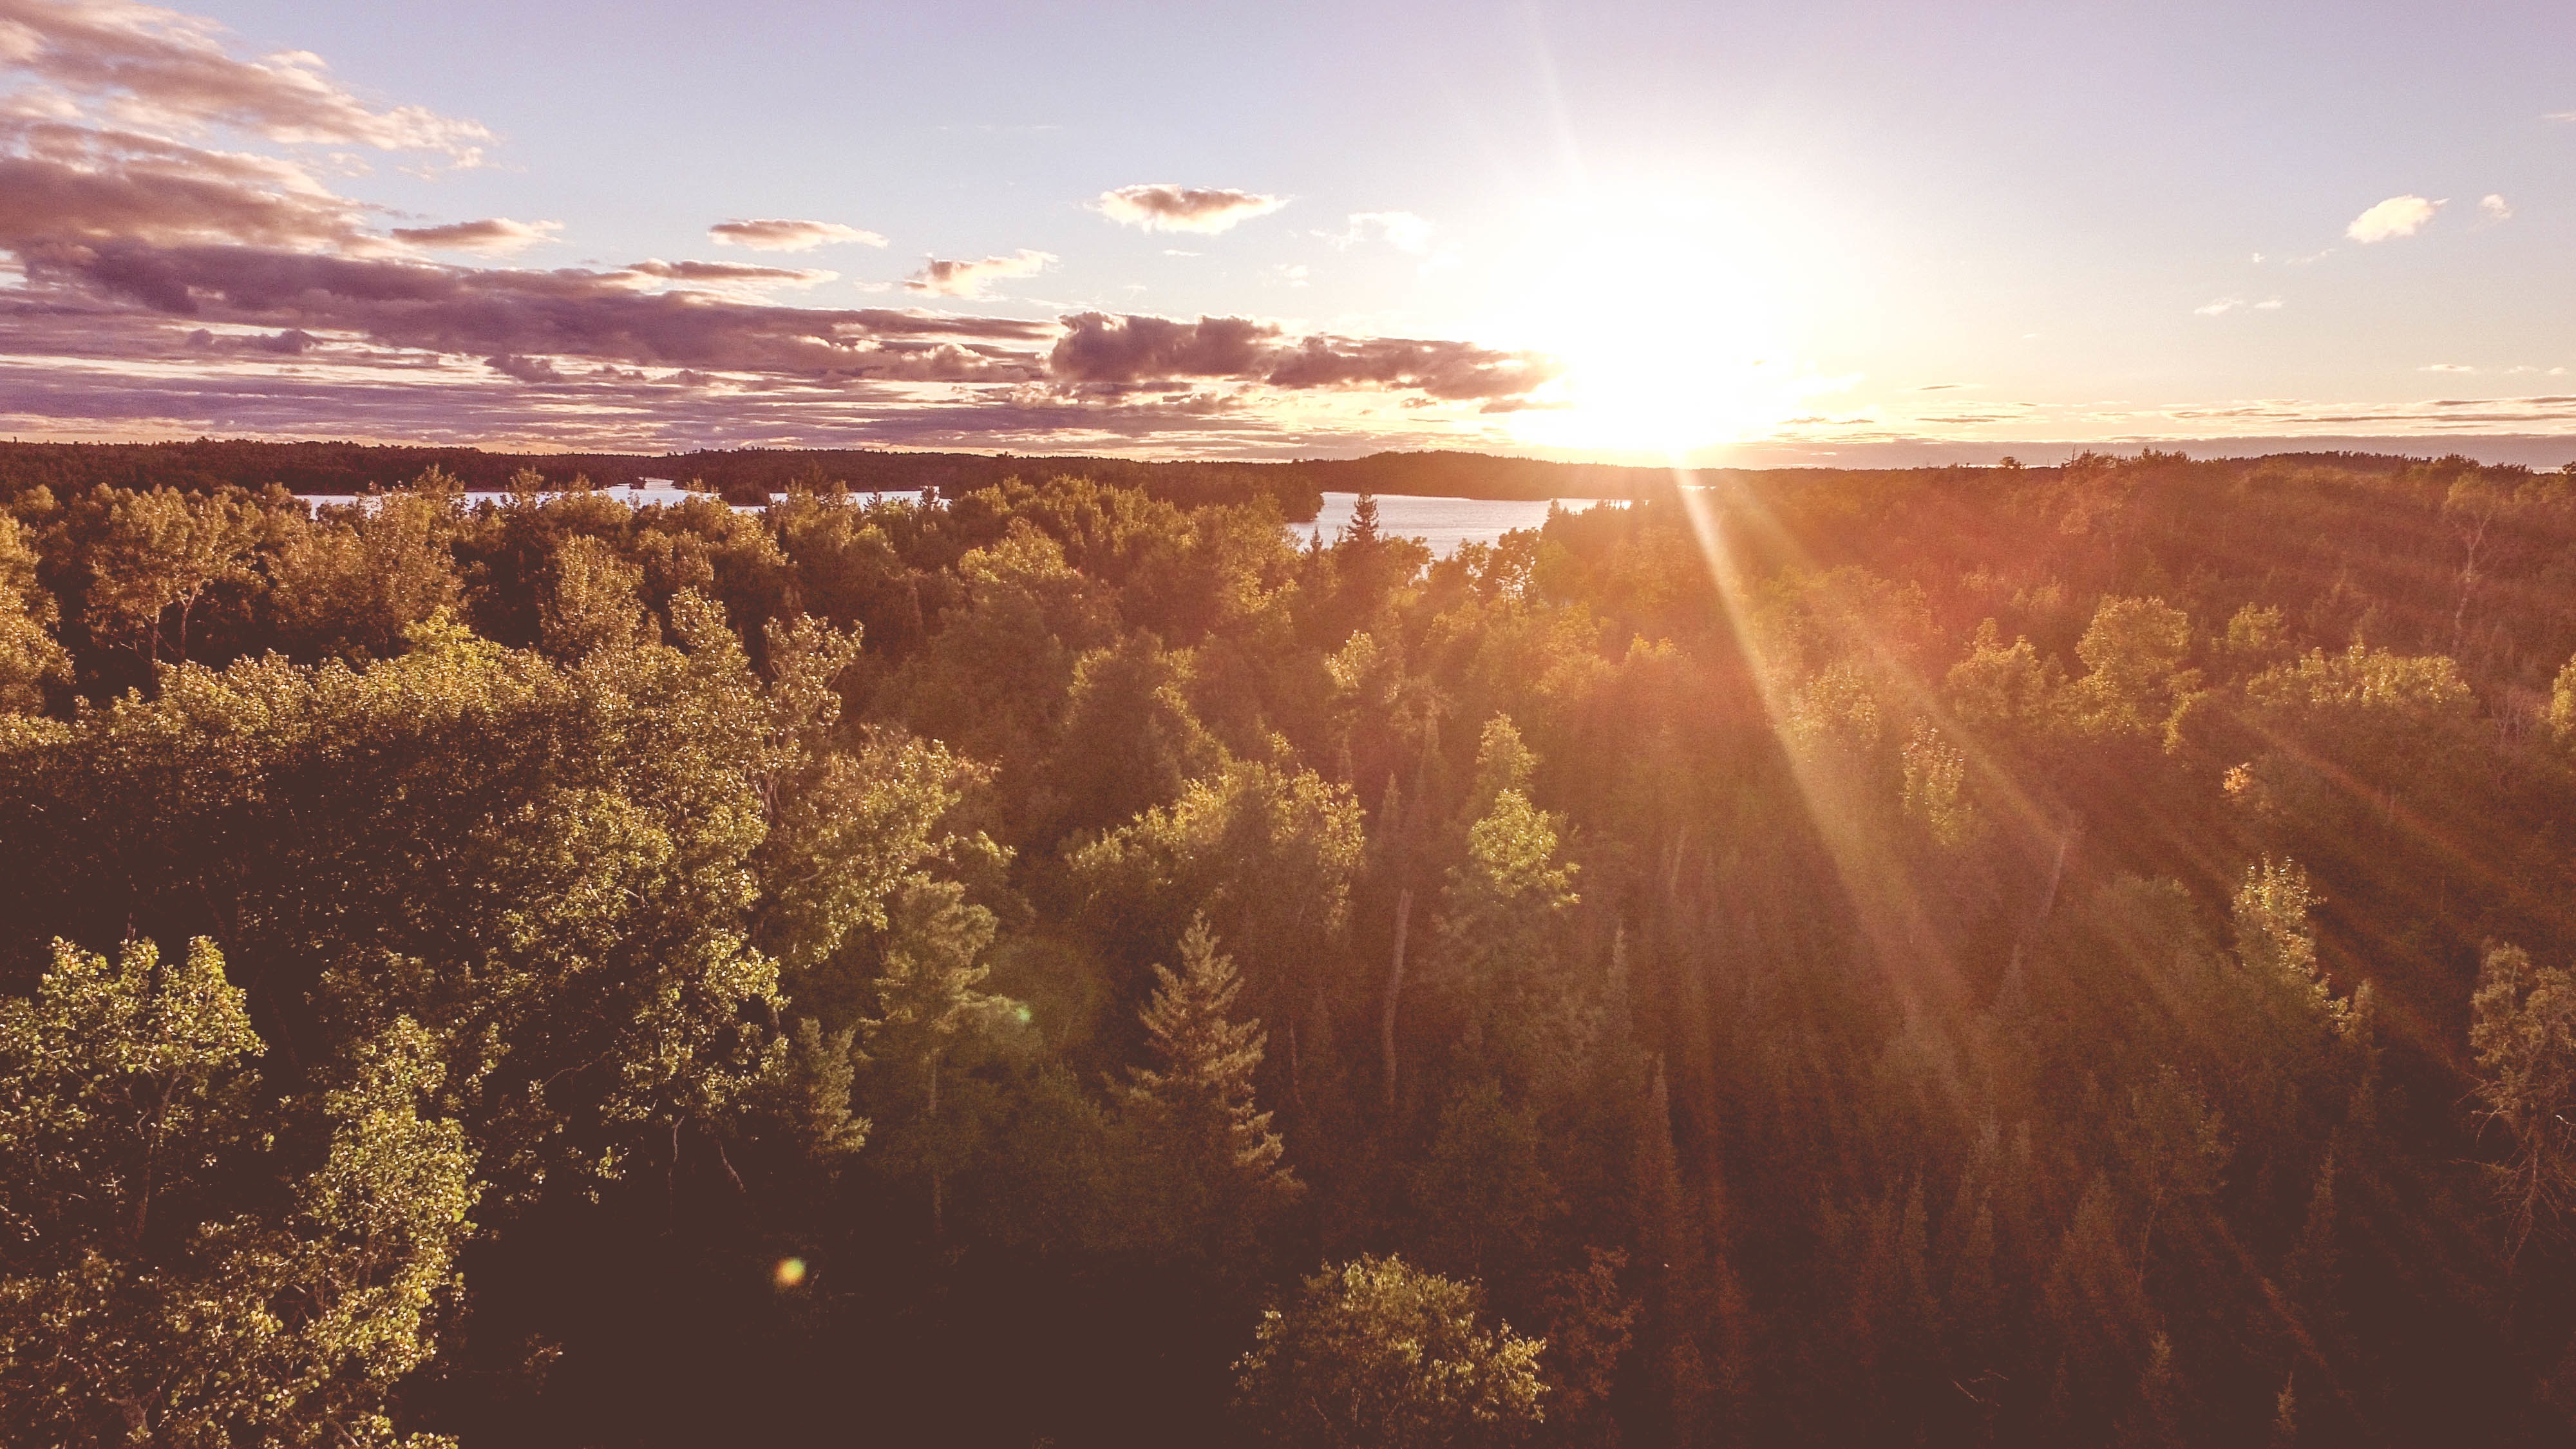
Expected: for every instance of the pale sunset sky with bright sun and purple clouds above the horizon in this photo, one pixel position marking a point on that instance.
(1864, 233)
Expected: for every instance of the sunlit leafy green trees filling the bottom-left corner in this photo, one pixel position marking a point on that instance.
(146, 1296)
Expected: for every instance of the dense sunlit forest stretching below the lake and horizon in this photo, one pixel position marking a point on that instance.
(2036, 958)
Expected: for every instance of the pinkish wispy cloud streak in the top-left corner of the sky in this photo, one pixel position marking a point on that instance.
(164, 71)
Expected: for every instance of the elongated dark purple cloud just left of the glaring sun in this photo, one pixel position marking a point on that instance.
(1158, 352)
